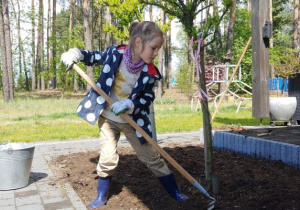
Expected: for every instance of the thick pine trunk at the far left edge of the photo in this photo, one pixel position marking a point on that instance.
(6, 52)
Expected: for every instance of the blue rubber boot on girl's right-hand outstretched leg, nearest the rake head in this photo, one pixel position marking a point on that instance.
(169, 183)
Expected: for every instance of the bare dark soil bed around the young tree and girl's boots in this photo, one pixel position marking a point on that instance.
(244, 183)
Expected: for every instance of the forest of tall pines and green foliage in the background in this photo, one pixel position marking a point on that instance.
(33, 38)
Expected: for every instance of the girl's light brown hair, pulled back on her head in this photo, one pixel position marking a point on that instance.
(146, 30)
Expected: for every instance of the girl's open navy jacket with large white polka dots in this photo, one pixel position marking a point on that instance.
(142, 94)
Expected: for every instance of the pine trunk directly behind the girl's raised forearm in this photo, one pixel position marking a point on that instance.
(87, 35)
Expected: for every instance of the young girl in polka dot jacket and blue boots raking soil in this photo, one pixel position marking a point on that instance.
(128, 77)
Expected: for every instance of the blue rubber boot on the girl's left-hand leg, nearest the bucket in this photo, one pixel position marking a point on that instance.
(102, 190)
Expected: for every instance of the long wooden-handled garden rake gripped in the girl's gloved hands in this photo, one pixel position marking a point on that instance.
(144, 134)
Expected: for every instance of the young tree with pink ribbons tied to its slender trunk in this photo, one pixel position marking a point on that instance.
(186, 12)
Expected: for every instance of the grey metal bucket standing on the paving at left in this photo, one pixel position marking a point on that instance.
(15, 165)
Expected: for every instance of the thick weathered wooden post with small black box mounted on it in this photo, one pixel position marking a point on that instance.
(260, 59)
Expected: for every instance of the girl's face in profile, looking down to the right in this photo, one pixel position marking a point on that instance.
(150, 50)
